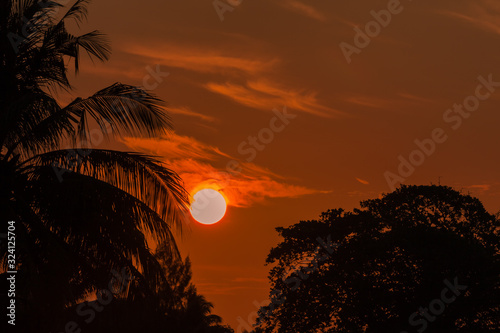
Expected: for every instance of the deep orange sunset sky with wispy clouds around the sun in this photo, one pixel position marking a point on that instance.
(348, 123)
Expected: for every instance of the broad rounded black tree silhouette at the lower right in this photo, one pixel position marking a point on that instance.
(423, 258)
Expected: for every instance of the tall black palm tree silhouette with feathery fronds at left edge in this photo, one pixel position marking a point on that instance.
(72, 231)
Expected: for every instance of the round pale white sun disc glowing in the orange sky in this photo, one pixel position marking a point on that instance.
(208, 206)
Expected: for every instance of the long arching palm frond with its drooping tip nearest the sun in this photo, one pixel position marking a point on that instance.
(139, 175)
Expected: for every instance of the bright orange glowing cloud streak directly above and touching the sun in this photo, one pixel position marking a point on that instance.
(203, 166)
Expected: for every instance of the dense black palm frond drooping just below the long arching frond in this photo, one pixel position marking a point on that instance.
(82, 211)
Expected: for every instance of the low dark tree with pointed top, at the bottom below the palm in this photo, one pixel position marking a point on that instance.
(175, 306)
